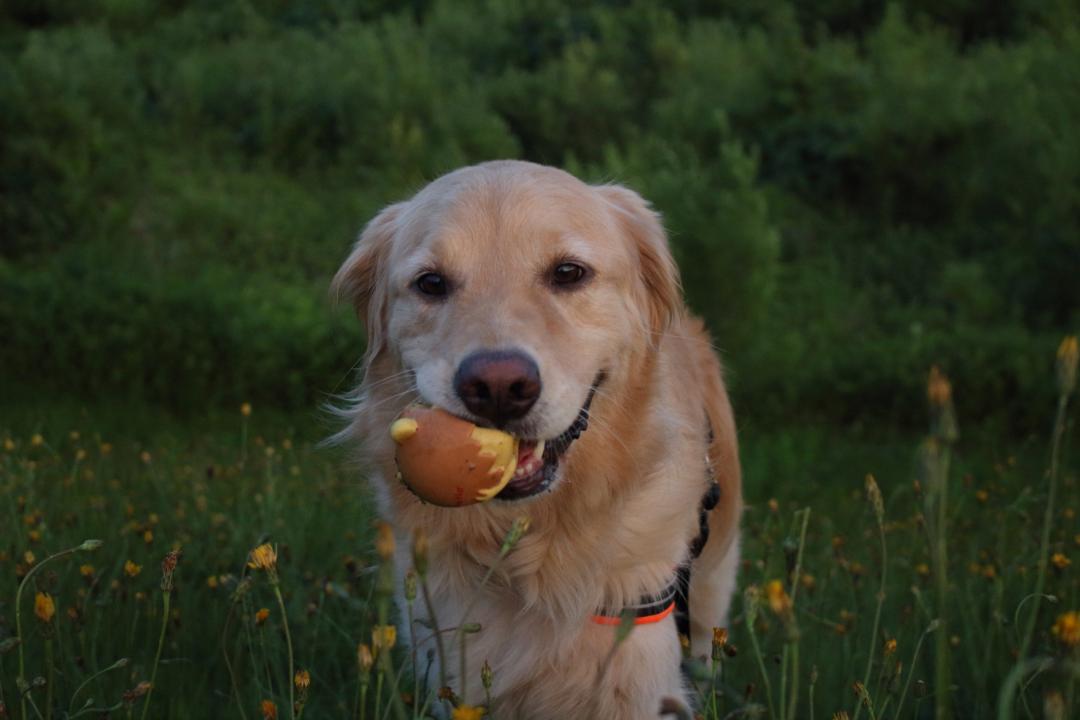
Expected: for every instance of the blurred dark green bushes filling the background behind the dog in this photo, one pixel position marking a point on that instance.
(855, 189)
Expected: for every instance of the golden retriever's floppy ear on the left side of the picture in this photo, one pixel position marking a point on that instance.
(359, 280)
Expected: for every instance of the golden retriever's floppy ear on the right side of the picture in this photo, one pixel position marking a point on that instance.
(658, 270)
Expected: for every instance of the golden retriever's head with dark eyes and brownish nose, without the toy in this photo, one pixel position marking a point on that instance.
(507, 293)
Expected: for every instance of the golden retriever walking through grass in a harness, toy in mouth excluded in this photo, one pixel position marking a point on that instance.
(519, 297)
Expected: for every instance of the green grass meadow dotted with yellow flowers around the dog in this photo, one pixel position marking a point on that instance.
(844, 609)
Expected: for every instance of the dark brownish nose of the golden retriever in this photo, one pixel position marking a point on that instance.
(499, 386)
